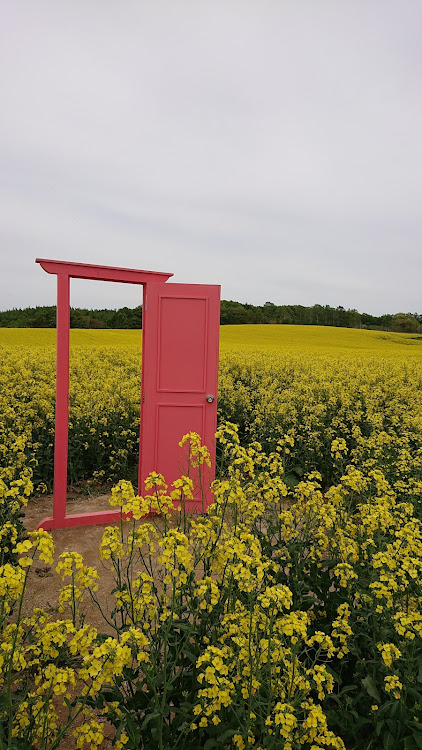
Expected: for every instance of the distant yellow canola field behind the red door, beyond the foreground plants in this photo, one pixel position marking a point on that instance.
(334, 397)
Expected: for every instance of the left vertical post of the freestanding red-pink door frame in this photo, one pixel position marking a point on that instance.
(62, 400)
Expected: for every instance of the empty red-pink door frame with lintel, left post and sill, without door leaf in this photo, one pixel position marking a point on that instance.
(65, 271)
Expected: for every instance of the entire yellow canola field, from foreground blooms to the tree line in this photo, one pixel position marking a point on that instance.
(289, 616)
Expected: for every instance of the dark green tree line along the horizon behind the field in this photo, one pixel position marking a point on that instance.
(232, 313)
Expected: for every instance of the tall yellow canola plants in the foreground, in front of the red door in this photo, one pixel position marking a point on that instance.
(278, 620)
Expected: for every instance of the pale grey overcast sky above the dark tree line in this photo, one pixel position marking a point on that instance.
(270, 146)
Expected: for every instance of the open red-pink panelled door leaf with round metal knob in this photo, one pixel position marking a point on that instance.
(179, 379)
